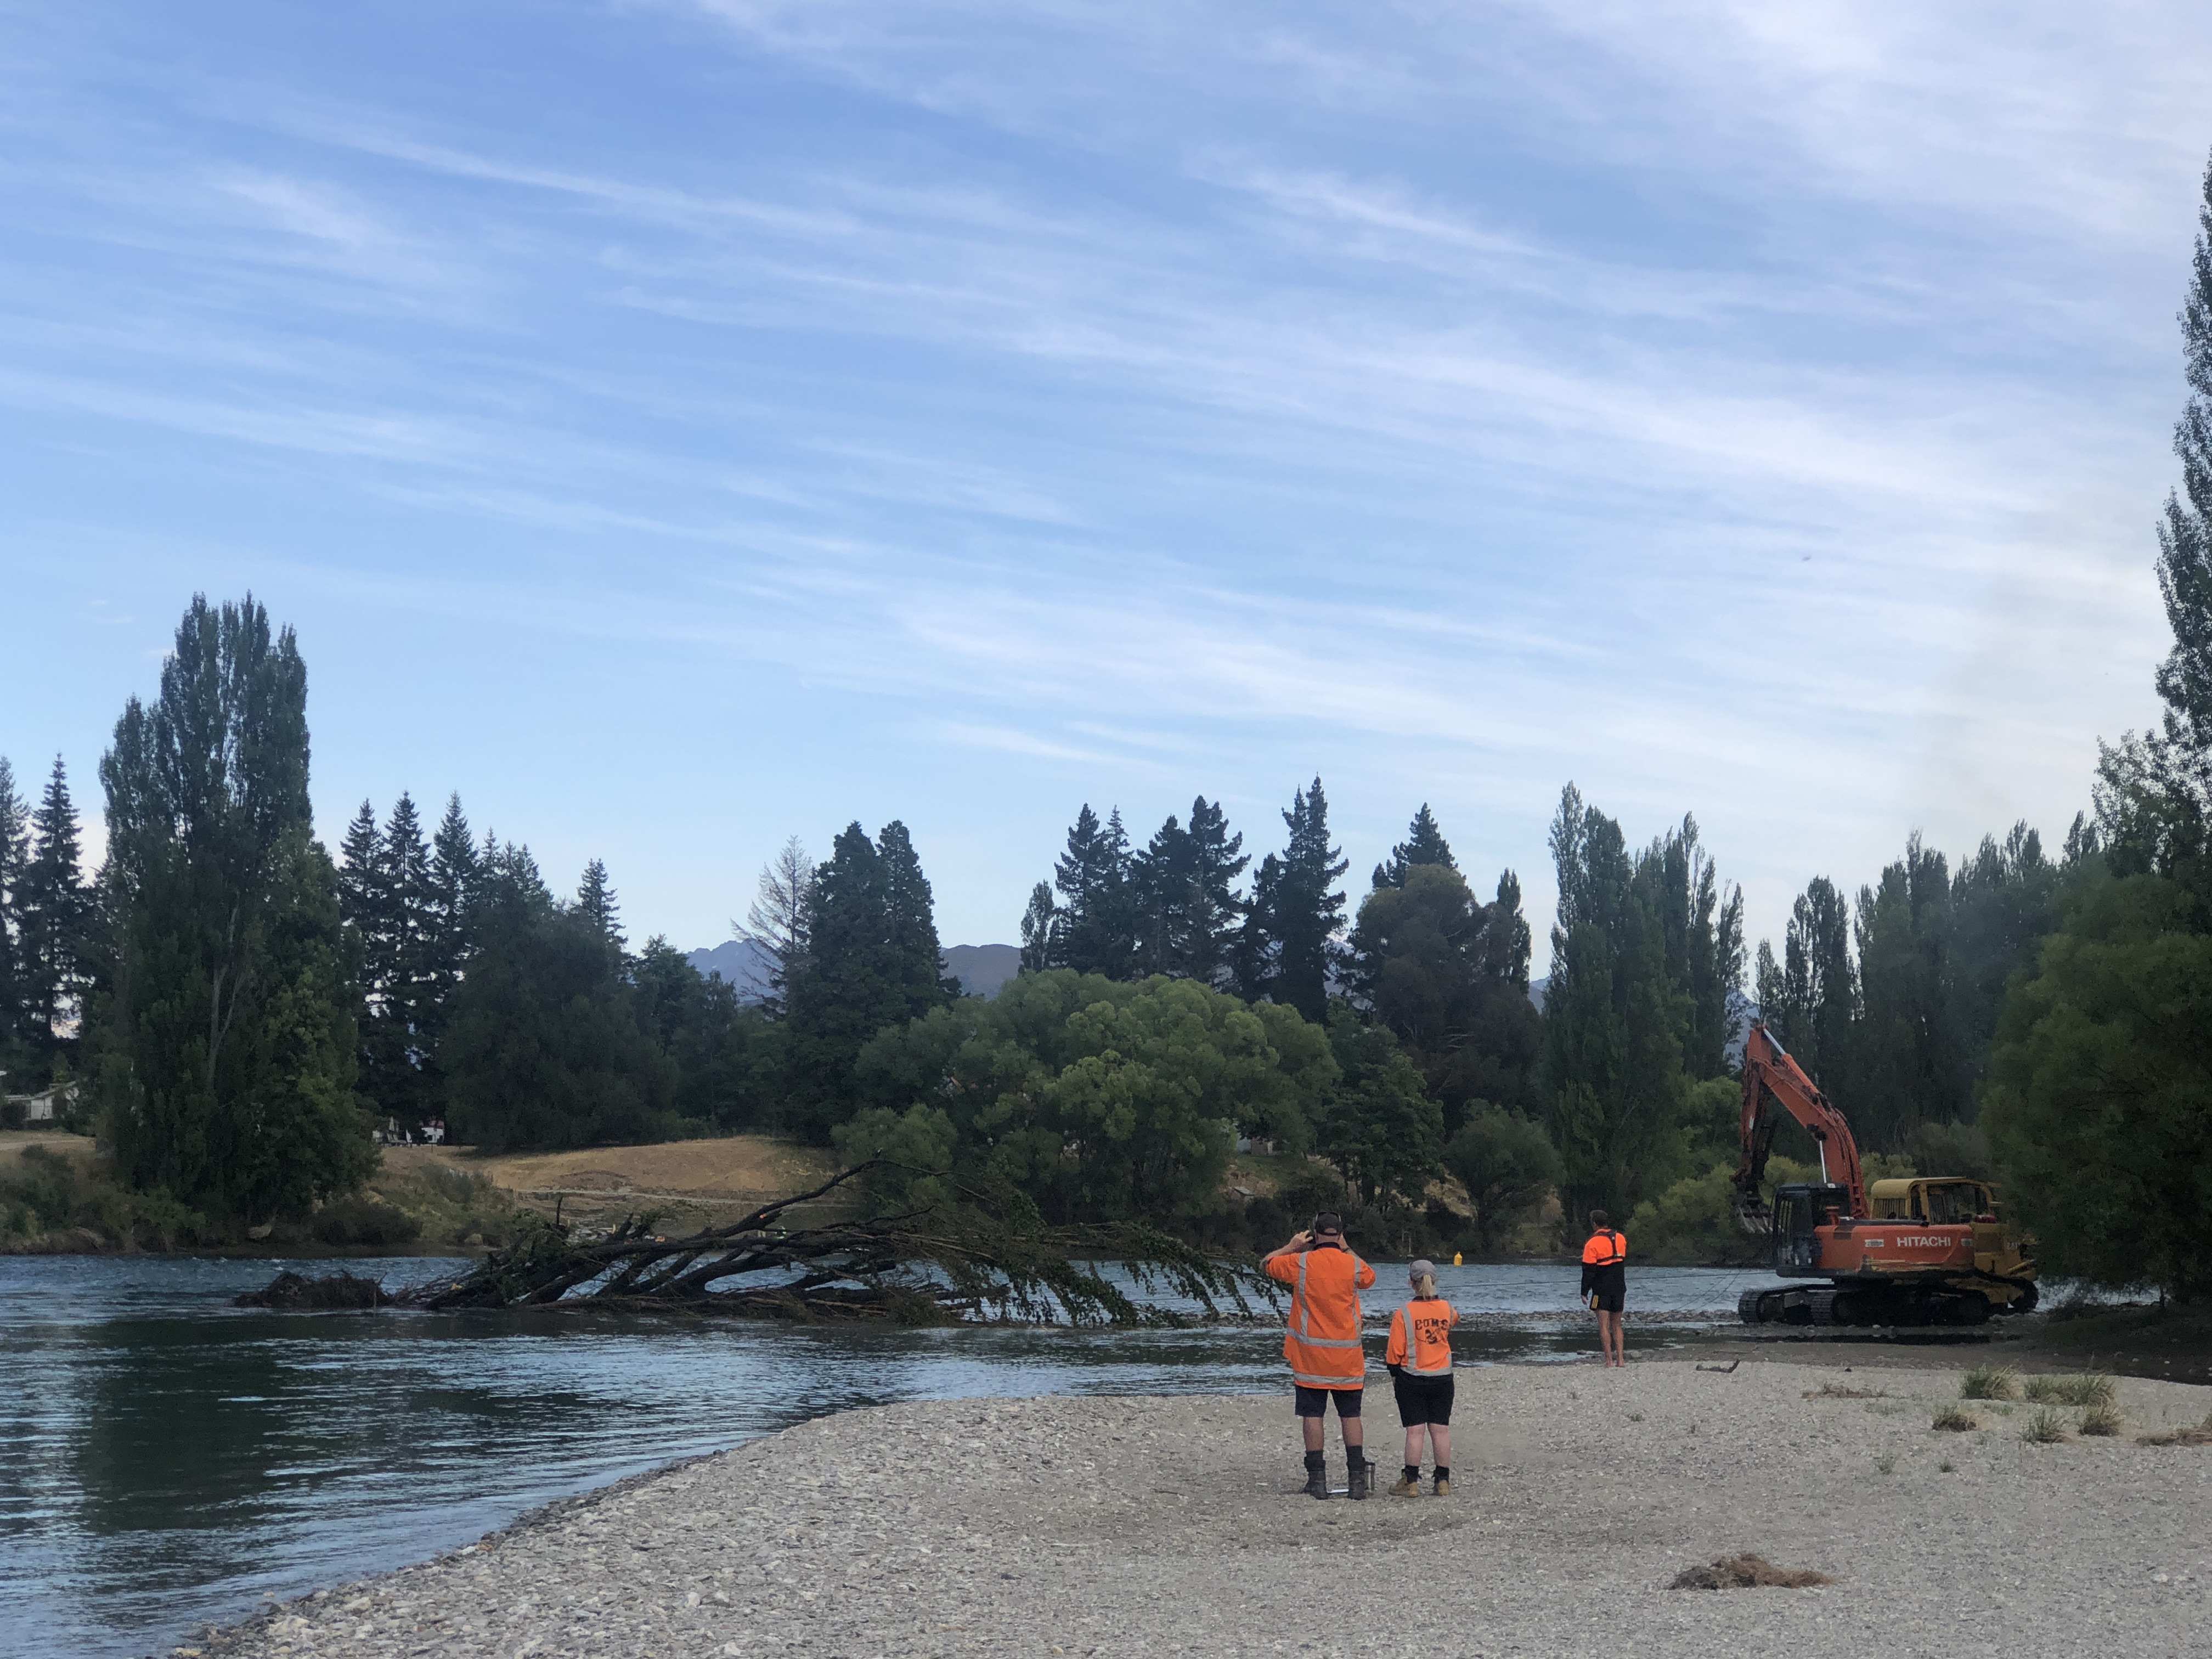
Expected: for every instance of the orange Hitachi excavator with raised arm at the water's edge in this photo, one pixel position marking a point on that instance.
(1919, 1251)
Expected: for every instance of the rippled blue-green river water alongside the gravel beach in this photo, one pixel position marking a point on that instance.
(167, 1459)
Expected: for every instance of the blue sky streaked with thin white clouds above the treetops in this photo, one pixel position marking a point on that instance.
(687, 426)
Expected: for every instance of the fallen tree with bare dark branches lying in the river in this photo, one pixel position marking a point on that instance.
(977, 1253)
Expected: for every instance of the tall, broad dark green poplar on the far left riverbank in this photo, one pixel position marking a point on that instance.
(227, 1036)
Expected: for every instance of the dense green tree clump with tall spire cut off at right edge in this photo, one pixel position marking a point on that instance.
(2100, 1098)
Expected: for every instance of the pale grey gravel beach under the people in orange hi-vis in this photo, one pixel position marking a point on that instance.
(1176, 1525)
